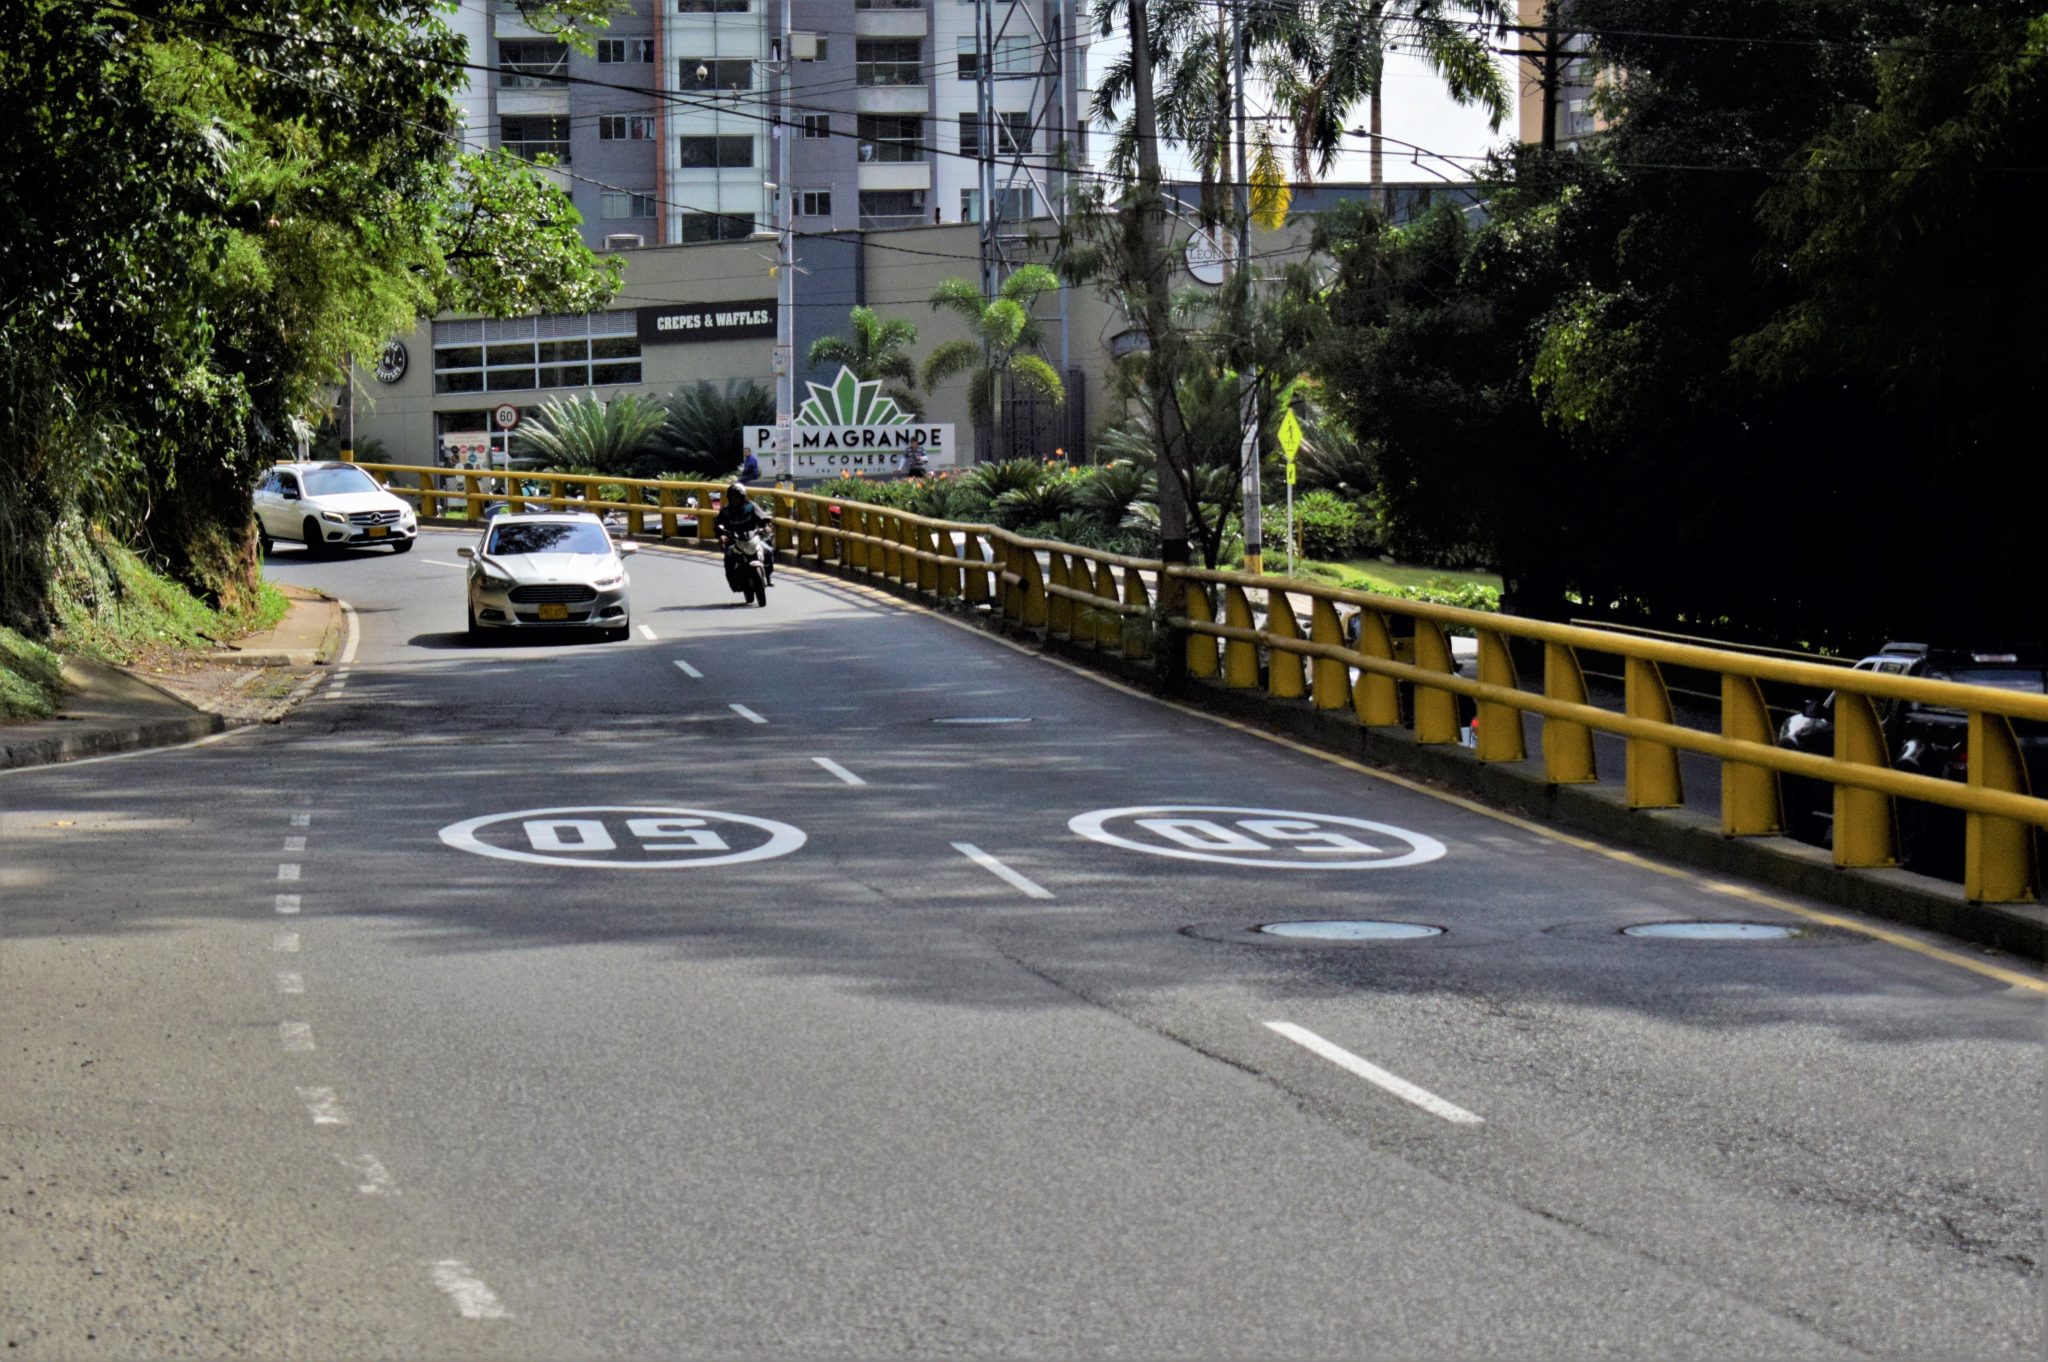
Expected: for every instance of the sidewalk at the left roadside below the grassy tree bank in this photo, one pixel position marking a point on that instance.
(124, 710)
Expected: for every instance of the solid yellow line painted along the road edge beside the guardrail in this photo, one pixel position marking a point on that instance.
(1551, 835)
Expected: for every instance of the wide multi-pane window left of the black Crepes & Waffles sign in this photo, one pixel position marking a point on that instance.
(527, 353)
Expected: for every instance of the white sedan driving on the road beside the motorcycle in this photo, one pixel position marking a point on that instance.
(548, 572)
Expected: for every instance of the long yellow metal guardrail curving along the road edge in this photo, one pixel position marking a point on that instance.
(1113, 603)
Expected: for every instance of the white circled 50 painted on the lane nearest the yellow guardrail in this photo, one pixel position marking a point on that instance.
(1265, 839)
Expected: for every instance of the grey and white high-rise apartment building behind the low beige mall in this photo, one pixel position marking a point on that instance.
(902, 112)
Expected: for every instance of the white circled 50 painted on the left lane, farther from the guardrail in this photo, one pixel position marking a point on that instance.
(624, 837)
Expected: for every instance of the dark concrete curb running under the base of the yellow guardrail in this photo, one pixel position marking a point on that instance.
(1680, 837)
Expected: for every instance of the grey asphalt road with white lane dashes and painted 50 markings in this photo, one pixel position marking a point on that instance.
(949, 1078)
